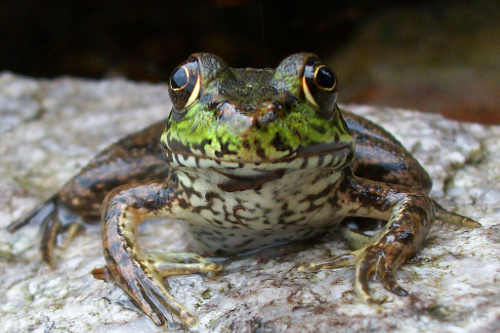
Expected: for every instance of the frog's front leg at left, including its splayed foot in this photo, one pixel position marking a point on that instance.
(138, 272)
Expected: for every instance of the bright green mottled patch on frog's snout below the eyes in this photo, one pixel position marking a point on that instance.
(241, 139)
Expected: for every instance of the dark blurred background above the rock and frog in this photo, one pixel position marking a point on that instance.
(433, 56)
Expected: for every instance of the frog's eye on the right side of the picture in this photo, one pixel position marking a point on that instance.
(319, 85)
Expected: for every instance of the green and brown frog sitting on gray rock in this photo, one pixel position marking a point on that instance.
(246, 159)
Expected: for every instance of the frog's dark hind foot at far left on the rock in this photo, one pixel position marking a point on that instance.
(53, 219)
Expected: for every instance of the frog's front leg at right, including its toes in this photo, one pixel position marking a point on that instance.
(409, 214)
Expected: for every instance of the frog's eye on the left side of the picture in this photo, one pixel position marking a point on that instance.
(184, 88)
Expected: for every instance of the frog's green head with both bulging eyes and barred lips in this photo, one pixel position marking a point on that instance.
(255, 119)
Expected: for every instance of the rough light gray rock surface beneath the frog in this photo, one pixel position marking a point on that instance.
(49, 129)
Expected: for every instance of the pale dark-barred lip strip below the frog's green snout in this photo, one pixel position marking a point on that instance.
(332, 160)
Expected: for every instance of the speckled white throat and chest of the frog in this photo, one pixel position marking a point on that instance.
(292, 207)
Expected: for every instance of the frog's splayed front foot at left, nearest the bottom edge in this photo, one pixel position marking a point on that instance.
(142, 277)
